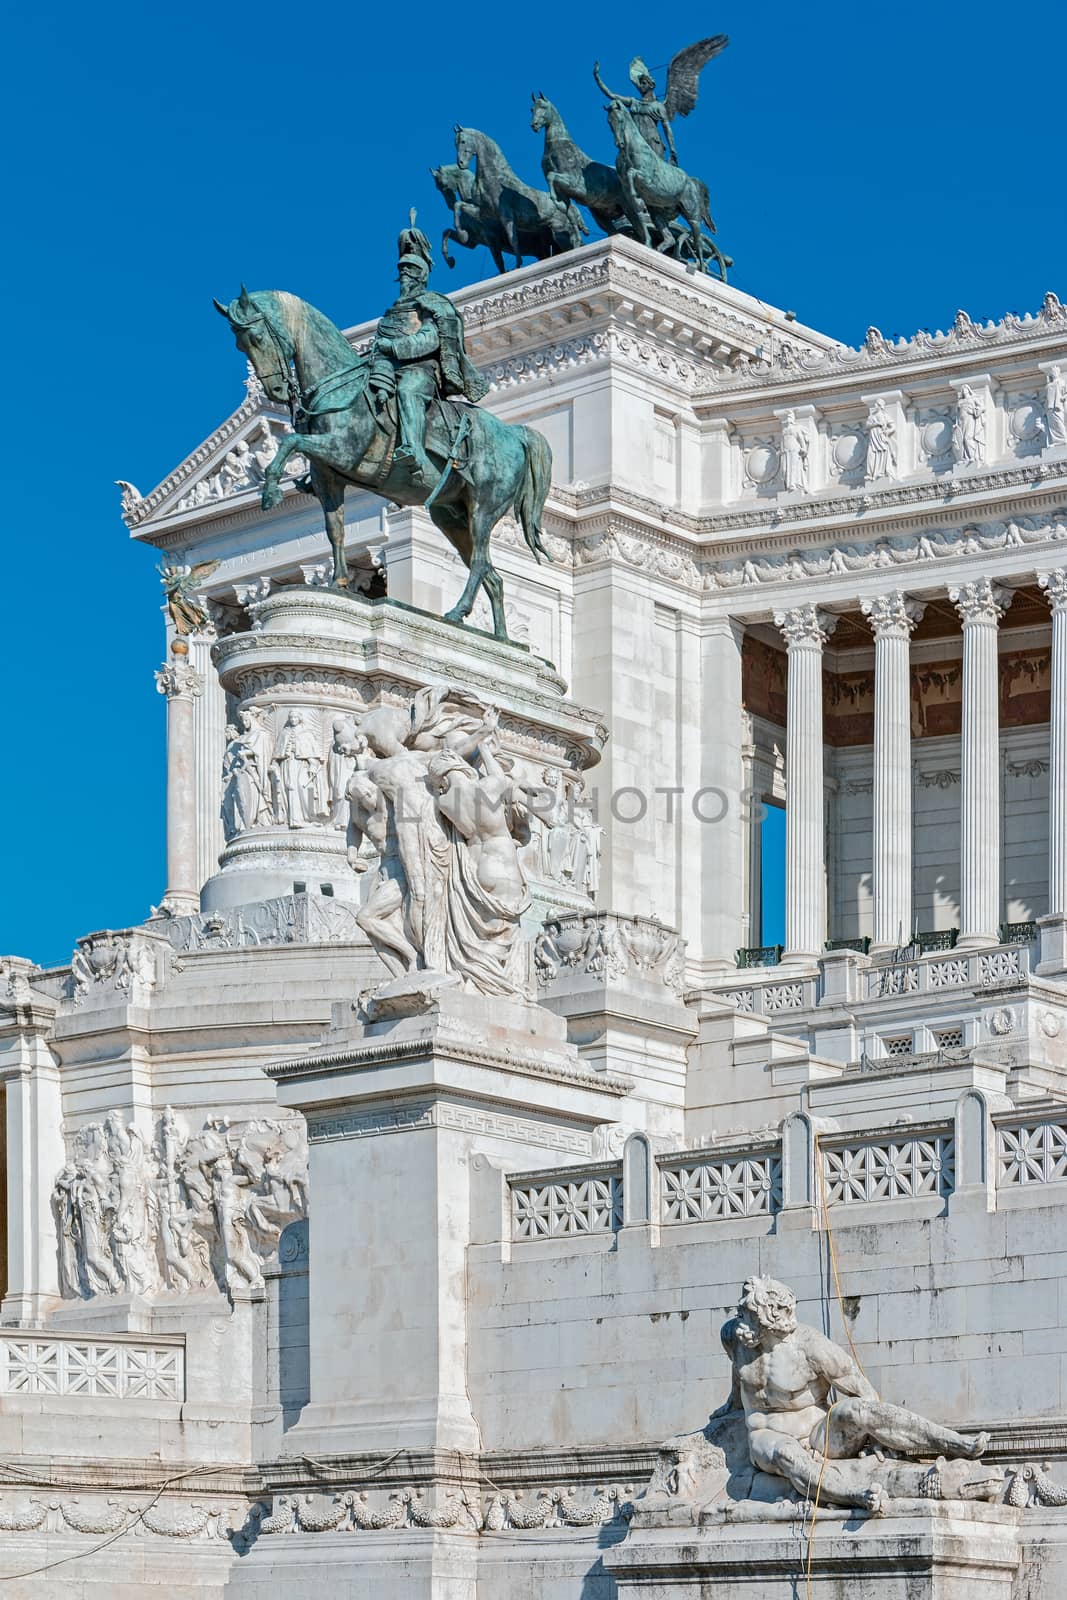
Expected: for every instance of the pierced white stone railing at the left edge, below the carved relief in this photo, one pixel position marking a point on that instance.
(65, 1364)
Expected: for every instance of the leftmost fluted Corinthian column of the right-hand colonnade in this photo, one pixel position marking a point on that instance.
(805, 631)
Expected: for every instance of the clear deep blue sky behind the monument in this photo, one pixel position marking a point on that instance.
(868, 166)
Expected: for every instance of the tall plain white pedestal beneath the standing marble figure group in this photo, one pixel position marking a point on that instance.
(396, 1113)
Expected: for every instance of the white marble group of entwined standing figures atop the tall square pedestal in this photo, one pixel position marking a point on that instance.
(447, 823)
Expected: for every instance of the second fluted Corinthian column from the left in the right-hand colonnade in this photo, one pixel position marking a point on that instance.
(892, 622)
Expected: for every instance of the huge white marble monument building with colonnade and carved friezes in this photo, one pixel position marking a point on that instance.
(439, 1359)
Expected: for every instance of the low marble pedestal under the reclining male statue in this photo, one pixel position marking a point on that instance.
(924, 1551)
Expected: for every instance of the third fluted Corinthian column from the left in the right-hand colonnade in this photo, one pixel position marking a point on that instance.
(981, 607)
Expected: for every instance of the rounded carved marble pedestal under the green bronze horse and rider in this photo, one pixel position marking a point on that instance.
(326, 658)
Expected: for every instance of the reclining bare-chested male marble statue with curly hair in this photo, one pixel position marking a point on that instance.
(809, 1409)
